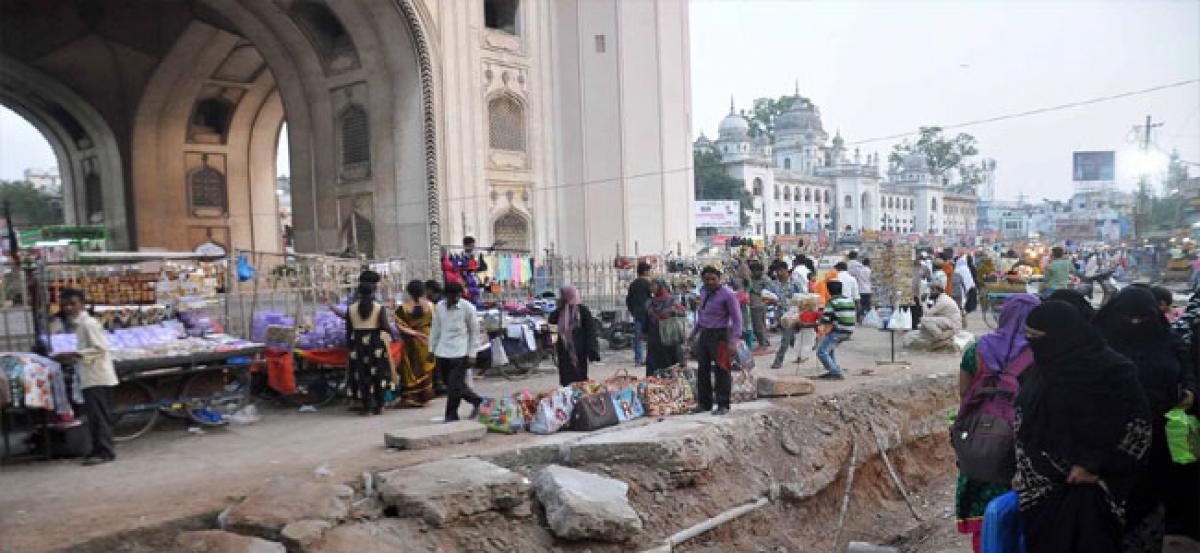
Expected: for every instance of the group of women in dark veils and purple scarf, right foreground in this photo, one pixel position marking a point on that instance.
(1090, 458)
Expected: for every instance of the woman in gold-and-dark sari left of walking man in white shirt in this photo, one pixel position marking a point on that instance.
(416, 318)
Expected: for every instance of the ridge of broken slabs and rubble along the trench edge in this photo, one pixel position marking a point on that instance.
(628, 489)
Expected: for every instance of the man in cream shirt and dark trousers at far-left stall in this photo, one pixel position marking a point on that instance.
(94, 363)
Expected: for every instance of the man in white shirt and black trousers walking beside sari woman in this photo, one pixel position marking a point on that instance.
(453, 344)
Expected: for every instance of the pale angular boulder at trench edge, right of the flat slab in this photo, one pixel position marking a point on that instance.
(586, 507)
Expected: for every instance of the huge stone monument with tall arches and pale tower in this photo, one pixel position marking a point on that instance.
(411, 123)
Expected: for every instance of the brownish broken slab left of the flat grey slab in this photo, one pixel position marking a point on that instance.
(284, 501)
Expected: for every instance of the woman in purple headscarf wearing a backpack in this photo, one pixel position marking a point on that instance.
(1005, 350)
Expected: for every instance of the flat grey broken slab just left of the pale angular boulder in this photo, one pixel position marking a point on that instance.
(443, 491)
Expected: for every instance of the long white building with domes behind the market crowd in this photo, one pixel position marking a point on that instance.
(803, 183)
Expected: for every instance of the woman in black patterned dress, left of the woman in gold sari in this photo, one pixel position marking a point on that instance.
(370, 362)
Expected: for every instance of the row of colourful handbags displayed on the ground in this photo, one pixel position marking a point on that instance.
(591, 405)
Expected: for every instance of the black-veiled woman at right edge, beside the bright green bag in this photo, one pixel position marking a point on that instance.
(1137, 329)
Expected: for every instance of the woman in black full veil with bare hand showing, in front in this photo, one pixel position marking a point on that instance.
(1083, 434)
